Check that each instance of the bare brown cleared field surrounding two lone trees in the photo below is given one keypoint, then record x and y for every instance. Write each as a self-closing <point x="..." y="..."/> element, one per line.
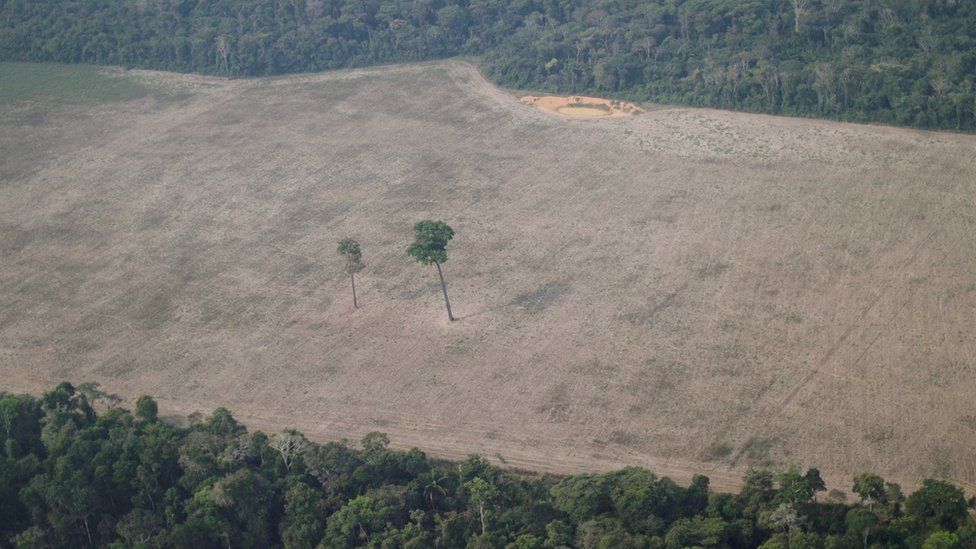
<point x="689" y="290"/>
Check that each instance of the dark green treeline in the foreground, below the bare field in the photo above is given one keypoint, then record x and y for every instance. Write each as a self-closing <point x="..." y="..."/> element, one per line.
<point x="72" y="478"/>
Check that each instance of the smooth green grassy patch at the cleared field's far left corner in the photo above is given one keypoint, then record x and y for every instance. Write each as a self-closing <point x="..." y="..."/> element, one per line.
<point x="71" y="84"/>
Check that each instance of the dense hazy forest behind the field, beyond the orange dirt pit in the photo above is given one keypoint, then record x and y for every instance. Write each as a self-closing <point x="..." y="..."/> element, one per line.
<point x="907" y="62"/>
